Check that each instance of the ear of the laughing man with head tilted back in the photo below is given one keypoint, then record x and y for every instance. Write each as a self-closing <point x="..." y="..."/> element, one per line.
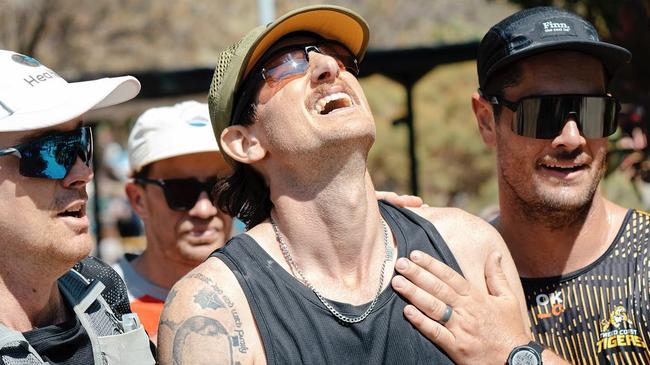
<point x="241" y="144"/>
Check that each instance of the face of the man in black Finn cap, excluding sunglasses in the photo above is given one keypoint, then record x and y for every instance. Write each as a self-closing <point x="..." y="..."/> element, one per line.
<point x="526" y="164"/>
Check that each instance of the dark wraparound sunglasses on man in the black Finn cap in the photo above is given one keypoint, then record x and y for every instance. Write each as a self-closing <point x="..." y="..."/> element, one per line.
<point x="544" y="116"/>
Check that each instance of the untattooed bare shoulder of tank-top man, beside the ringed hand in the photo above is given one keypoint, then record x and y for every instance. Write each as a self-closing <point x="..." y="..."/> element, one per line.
<point x="470" y="238"/>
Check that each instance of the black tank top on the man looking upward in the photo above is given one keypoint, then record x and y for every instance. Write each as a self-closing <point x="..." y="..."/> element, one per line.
<point x="296" y="328"/>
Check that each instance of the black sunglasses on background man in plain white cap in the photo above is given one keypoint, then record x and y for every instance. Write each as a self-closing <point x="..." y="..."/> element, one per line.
<point x="181" y="194"/>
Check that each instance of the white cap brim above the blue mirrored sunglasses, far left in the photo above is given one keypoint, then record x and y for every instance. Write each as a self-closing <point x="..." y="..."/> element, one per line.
<point x="57" y="106"/>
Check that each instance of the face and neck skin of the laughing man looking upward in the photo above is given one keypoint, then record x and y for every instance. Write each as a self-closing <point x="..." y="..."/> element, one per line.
<point x="312" y="182"/>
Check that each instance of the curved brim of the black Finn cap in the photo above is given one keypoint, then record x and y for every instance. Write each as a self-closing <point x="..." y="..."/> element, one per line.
<point x="612" y="56"/>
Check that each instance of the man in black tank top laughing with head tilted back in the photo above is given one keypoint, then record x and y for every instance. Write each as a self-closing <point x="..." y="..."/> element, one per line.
<point x="308" y="283"/>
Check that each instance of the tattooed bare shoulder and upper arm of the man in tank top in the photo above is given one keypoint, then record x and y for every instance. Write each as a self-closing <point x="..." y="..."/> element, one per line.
<point x="206" y="319"/>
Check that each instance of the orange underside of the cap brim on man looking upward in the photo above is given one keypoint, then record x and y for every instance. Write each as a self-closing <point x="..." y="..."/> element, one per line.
<point x="331" y="22"/>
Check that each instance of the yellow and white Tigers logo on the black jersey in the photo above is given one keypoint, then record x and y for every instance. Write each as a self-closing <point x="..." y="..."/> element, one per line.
<point x="619" y="331"/>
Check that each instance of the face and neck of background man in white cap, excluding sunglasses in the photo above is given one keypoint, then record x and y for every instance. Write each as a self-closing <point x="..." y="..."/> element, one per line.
<point x="180" y="239"/>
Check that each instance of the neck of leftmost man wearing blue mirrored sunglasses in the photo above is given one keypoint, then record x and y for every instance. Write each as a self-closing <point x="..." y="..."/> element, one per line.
<point x="30" y="302"/>
